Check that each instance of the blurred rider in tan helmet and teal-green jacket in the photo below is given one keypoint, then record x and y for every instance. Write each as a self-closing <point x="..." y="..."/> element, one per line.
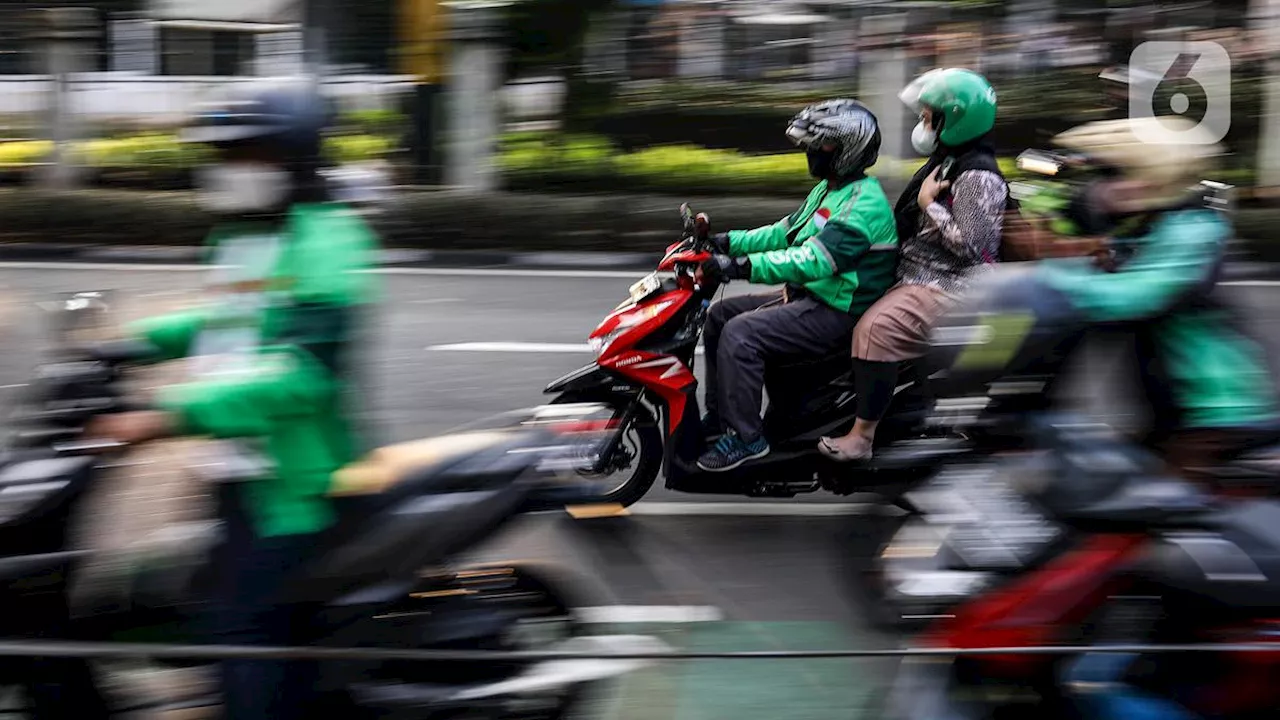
<point x="1219" y="398"/>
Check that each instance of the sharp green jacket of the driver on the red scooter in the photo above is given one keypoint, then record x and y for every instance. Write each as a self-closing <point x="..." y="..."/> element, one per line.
<point x="842" y="245"/>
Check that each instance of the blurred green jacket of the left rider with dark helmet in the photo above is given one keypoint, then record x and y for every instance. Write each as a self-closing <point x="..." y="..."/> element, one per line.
<point x="282" y="344"/>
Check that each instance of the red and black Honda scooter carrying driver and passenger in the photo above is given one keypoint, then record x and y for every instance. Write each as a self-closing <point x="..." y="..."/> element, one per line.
<point x="646" y="352"/>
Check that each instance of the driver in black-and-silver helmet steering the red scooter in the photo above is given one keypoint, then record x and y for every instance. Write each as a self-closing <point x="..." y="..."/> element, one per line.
<point x="835" y="256"/>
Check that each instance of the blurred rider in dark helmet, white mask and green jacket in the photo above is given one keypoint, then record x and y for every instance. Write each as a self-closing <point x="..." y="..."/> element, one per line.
<point x="275" y="368"/>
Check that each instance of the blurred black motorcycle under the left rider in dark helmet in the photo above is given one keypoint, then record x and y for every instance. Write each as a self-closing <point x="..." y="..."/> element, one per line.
<point x="383" y="577"/>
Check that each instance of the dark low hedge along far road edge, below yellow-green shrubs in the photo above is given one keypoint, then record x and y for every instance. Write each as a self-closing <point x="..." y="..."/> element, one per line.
<point x="616" y="222"/>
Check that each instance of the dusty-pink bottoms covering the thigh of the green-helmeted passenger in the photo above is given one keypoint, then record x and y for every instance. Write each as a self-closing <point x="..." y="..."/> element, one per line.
<point x="898" y="326"/>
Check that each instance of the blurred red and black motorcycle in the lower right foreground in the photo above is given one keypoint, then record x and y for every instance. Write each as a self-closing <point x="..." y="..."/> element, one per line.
<point x="1086" y="544"/>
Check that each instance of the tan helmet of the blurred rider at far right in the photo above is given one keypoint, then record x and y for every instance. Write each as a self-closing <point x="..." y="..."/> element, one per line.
<point x="1172" y="167"/>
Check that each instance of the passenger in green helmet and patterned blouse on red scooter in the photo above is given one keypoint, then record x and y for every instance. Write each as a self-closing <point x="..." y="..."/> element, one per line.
<point x="949" y="222"/>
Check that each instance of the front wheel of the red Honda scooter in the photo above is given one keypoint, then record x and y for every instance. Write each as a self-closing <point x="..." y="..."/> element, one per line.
<point x="637" y="459"/>
